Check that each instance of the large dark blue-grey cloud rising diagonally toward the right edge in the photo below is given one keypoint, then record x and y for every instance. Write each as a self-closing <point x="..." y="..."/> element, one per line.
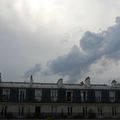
<point x="93" y="47"/>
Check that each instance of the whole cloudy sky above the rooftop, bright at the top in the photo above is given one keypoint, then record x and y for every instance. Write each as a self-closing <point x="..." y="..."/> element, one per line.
<point x="52" y="39"/>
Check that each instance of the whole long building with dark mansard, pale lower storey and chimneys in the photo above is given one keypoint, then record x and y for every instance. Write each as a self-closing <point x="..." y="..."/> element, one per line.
<point x="58" y="100"/>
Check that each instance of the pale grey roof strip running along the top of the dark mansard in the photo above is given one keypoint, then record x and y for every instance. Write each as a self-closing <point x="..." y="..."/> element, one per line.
<point x="55" y="85"/>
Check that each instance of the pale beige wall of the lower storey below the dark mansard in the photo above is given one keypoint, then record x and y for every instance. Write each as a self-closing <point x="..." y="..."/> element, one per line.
<point x="62" y="108"/>
